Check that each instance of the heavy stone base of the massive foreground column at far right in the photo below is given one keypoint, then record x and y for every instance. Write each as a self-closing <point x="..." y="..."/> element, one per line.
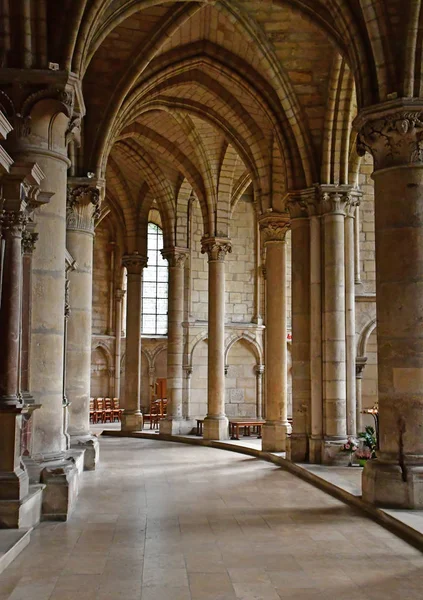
<point x="387" y="485"/>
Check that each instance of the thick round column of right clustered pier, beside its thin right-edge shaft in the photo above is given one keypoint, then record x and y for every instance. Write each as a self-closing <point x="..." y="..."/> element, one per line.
<point x="333" y="204"/>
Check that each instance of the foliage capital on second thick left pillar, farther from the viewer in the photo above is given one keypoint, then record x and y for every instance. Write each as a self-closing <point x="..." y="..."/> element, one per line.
<point x="82" y="208"/>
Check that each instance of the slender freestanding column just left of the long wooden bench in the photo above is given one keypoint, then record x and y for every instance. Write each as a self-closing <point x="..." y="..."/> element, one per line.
<point x="216" y="425"/>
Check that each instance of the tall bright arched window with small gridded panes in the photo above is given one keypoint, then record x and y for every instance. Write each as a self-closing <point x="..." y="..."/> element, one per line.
<point x="154" y="288"/>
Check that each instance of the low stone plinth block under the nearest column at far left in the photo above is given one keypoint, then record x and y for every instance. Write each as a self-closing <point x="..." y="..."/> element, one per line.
<point x="24" y="513"/>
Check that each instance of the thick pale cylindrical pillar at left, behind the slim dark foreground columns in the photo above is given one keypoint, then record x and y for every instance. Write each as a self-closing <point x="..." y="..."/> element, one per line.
<point x="45" y="144"/>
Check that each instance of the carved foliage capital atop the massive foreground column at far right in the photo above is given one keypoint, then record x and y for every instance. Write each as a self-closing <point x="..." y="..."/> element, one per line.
<point x="392" y="132"/>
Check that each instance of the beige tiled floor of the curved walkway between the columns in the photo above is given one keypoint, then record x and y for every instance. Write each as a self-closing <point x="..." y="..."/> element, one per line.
<point x="163" y="521"/>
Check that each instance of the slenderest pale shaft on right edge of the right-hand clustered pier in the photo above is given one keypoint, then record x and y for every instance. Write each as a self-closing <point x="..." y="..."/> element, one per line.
<point x="351" y="207"/>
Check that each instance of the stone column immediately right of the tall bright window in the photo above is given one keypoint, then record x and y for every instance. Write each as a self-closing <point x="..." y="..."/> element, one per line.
<point x="174" y="423"/>
